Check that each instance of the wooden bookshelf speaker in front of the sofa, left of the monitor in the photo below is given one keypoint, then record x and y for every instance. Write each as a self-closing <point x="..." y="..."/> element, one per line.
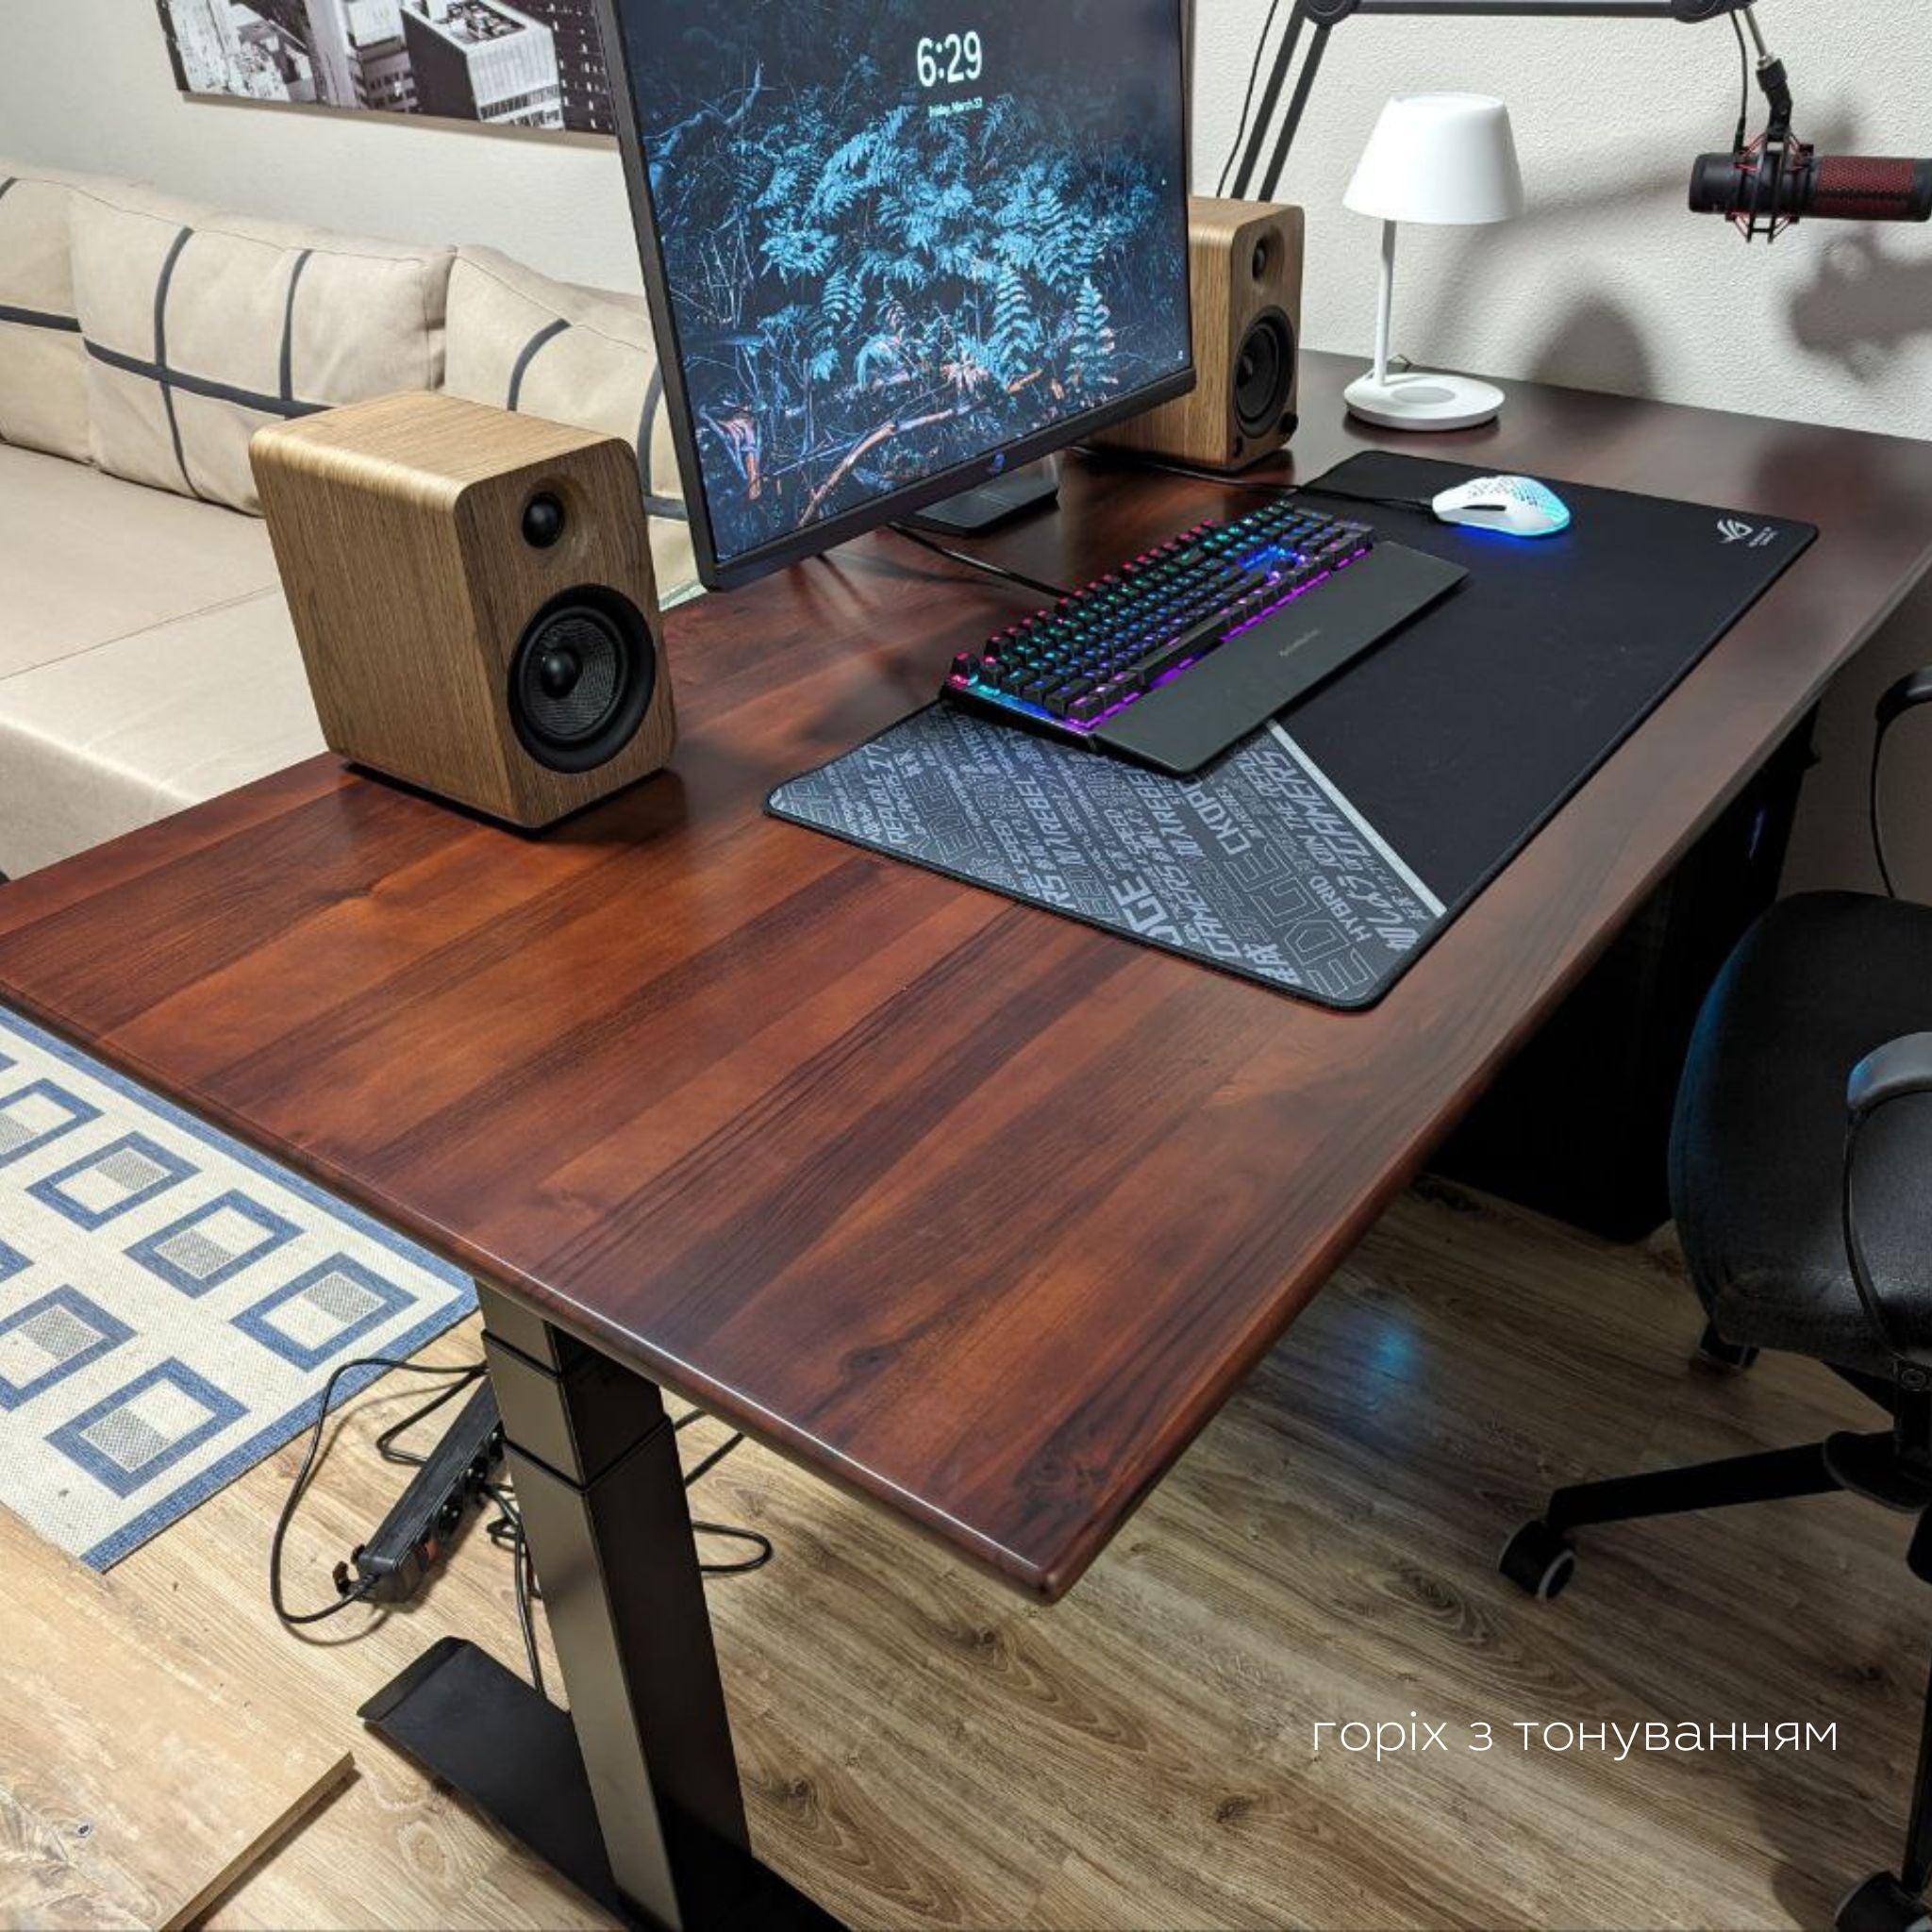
<point x="474" y="600"/>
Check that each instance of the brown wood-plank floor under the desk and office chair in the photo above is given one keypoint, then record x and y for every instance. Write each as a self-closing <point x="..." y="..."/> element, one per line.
<point x="923" y="1749"/>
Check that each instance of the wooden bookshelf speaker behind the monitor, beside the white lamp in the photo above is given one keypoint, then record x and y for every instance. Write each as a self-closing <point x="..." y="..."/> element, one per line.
<point x="1247" y="271"/>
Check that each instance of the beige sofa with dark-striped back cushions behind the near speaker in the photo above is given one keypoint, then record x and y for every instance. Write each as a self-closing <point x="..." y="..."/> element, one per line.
<point x="146" y="654"/>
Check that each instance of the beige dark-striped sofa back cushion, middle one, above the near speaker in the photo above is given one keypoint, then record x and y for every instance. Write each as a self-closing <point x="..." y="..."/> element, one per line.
<point x="202" y="327"/>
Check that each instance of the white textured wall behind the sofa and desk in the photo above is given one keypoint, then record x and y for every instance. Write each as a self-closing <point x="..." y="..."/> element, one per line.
<point x="1608" y="283"/>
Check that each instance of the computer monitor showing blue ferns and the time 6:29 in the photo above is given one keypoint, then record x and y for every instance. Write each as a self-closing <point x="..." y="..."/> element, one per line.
<point x="899" y="246"/>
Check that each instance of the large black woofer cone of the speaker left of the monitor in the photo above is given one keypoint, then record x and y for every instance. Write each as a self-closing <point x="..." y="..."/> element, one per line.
<point x="582" y="679"/>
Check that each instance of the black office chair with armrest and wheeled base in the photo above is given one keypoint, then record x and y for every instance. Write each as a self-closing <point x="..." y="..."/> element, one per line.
<point x="1802" y="1179"/>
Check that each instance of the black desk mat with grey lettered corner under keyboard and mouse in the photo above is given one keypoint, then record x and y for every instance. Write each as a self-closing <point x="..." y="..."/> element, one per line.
<point x="1328" y="851"/>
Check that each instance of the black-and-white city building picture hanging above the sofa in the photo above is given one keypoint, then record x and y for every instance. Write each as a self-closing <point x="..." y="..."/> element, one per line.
<point x="532" y="65"/>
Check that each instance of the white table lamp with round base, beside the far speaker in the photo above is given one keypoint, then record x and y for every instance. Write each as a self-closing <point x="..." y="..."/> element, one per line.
<point x="1450" y="161"/>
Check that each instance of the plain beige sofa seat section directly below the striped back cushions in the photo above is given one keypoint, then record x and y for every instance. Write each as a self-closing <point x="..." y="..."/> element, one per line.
<point x="86" y="559"/>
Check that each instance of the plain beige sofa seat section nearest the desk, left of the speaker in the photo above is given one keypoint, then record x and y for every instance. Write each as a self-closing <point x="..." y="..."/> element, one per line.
<point x="140" y="727"/>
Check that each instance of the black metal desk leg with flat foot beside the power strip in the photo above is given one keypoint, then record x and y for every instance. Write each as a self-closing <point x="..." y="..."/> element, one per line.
<point x="635" y="1796"/>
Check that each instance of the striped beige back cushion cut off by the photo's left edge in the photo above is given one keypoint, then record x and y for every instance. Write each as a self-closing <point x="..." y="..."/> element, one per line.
<point x="43" y="370"/>
